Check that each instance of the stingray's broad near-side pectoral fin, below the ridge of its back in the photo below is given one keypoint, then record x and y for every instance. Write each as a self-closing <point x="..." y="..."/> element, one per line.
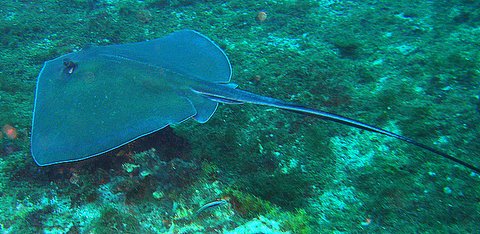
<point x="103" y="104"/>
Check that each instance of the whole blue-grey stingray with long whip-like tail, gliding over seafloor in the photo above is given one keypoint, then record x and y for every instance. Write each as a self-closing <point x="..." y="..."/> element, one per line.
<point x="100" y="98"/>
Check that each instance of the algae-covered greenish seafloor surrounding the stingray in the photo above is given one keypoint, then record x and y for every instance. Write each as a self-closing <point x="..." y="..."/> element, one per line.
<point x="411" y="67"/>
